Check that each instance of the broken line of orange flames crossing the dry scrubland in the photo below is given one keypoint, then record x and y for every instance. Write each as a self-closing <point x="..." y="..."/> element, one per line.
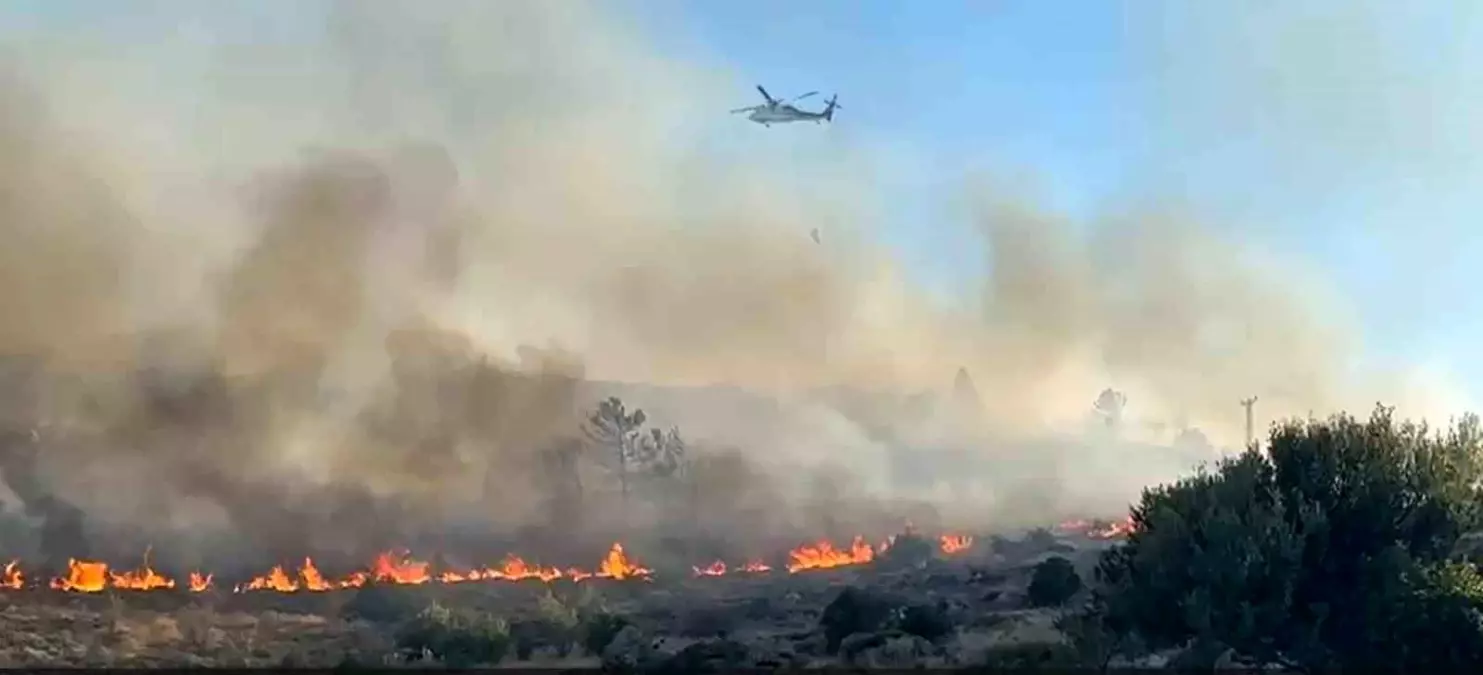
<point x="400" y="569"/>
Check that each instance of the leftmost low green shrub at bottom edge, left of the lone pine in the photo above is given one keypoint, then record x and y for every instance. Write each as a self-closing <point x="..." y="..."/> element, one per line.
<point x="458" y="639"/>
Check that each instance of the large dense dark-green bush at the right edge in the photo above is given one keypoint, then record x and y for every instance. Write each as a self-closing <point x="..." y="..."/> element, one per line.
<point x="1330" y="551"/>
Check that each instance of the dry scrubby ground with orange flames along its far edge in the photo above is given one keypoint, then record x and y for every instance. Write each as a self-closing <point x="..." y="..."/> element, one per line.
<point x="400" y="609"/>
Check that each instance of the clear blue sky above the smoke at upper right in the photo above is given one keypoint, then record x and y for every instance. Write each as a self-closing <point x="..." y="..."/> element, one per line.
<point x="1335" y="133"/>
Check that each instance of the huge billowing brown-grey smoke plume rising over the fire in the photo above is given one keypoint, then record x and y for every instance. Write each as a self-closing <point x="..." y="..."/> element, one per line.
<point x="369" y="271"/>
